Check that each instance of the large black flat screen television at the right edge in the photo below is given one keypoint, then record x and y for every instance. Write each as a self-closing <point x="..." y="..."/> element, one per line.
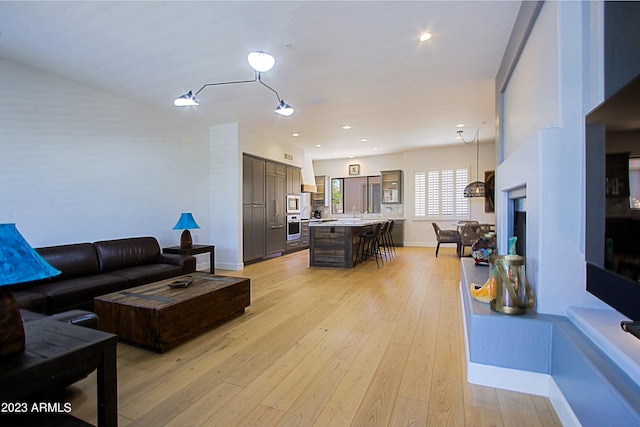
<point x="612" y="238"/>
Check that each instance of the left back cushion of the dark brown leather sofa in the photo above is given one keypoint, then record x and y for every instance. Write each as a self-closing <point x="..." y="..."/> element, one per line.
<point x="74" y="260"/>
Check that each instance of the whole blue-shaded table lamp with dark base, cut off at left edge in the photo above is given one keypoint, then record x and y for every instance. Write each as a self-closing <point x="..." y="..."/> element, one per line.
<point x="19" y="263"/>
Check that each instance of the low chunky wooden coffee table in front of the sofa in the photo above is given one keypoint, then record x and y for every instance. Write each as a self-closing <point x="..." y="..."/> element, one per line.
<point x="158" y="317"/>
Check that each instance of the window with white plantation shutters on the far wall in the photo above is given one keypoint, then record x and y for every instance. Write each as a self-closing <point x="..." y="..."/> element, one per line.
<point x="440" y="194"/>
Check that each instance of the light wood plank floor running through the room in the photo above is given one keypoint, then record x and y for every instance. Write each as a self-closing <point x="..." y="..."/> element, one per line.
<point x="323" y="347"/>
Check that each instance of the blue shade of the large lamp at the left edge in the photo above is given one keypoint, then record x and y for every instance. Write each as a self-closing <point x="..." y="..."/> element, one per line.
<point x="19" y="262"/>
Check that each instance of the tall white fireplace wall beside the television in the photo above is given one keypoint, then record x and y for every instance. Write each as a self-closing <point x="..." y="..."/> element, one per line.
<point x="548" y="88"/>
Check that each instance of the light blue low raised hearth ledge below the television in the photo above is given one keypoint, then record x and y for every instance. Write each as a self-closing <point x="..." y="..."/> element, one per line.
<point x="598" y="392"/>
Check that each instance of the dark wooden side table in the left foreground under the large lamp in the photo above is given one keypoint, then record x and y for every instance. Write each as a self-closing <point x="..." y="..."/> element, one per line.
<point x="54" y="351"/>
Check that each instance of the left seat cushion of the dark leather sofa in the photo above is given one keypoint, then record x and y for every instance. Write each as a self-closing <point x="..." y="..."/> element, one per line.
<point x="76" y="292"/>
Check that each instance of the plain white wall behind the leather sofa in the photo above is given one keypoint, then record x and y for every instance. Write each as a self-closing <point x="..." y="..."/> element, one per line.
<point x="79" y="165"/>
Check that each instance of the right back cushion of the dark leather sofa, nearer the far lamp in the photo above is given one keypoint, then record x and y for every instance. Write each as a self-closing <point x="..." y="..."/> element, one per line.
<point x="124" y="253"/>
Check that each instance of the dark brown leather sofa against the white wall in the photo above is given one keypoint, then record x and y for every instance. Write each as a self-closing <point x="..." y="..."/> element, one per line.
<point x="89" y="270"/>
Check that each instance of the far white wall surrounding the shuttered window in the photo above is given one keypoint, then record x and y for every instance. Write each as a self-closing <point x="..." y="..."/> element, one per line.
<point x="420" y="232"/>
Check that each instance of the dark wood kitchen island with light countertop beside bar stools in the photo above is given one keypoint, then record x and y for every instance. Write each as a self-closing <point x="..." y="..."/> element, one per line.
<point x="334" y="243"/>
